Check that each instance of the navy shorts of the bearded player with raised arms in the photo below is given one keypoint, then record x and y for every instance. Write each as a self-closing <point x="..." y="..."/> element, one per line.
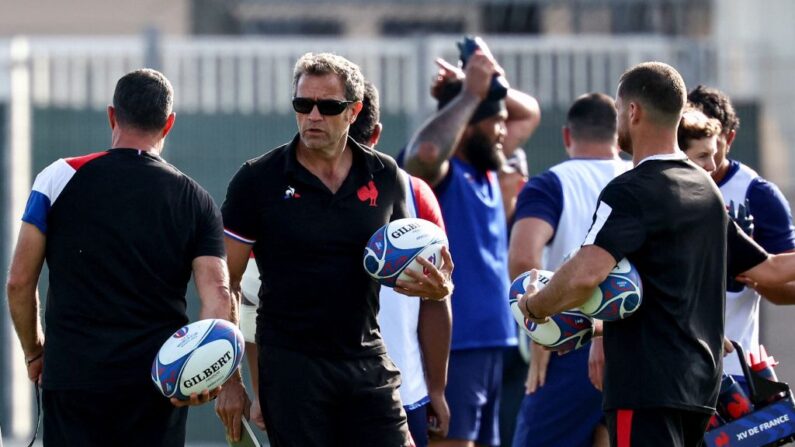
<point x="474" y="384"/>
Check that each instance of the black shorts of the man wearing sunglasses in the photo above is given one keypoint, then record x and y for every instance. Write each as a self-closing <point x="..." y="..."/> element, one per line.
<point x="313" y="400"/>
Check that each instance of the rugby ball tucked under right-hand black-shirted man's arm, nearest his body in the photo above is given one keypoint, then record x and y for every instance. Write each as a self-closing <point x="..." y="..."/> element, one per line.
<point x="618" y="296"/>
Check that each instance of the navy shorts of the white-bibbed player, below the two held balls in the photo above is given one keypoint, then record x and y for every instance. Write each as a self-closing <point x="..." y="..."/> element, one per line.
<point x="566" y="410"/>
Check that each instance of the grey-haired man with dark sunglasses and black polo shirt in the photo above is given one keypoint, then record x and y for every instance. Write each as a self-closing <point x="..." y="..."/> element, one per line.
<point x="307" y="209"/>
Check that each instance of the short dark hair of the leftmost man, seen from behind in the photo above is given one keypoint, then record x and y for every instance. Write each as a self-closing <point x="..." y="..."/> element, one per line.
<point x="143" y="99"/>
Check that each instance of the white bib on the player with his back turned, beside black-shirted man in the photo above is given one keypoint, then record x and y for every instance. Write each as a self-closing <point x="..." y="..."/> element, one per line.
<point x="581" y="180"/>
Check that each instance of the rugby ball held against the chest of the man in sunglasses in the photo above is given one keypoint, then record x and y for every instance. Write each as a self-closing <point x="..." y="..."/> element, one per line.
<point x="395" y="247"/>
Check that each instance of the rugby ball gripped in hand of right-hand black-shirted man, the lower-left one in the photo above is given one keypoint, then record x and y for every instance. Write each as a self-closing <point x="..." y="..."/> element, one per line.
<point x="565" y="331"/>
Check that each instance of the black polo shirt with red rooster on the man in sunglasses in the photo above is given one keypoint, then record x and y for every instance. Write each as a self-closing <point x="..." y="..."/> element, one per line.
<point x="308" y="243"/>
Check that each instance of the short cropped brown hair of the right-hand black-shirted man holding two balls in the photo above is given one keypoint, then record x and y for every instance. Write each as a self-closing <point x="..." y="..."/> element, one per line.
<point x="658" y="87"/>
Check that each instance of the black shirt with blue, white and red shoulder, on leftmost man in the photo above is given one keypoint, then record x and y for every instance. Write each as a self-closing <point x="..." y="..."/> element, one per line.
<point x="123" y="228"/>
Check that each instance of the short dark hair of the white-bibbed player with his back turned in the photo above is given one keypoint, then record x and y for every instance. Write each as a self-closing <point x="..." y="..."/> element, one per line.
<point x="592" y="117"/>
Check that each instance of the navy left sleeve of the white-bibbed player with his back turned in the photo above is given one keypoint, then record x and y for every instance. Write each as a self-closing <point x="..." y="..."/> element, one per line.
<point x="541" y="197"/>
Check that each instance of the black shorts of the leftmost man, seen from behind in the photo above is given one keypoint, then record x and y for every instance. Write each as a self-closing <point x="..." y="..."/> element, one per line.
<point x="124" y="416"/>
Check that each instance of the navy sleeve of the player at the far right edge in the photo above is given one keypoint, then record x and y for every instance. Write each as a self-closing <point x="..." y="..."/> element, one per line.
<point x="773" y="228"/>
